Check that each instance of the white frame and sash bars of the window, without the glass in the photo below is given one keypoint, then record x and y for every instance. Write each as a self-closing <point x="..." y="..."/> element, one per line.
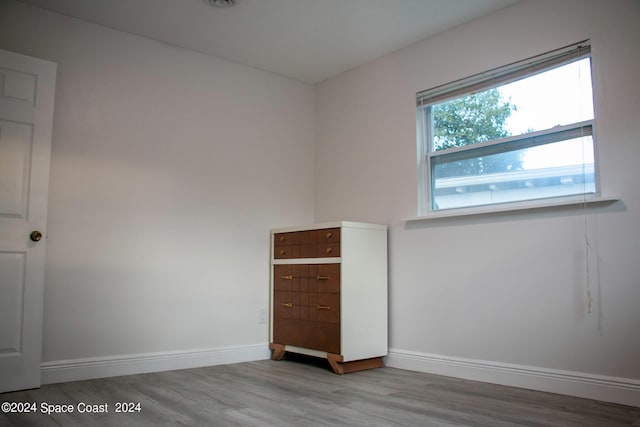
<point x="483" y="81"/>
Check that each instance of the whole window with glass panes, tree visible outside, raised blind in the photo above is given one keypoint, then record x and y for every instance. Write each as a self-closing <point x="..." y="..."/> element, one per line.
<point x="517" y="133"/>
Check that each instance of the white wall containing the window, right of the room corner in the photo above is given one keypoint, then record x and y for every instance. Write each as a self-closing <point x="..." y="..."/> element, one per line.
<point x="505" y="290"/>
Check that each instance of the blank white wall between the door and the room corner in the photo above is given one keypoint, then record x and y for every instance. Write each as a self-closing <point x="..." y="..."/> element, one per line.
<point x="168" y="169"/>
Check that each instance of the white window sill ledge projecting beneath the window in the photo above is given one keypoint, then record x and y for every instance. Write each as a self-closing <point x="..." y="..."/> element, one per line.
<point x="517" y="206"/>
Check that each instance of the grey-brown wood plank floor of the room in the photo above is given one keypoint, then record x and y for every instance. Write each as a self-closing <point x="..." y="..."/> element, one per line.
<point x="306" y="393"/>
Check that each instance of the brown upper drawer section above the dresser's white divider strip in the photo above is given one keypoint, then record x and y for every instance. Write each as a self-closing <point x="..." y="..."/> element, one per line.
<point x="320" y="243"/>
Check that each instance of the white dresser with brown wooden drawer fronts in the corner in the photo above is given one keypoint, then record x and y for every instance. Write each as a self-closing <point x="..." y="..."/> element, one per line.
<point x="329" y="293"/>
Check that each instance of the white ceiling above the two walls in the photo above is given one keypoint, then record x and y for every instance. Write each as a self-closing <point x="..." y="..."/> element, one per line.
<point x="308" y="40"/>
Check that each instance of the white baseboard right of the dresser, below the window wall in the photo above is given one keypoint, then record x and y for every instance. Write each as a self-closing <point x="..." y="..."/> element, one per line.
<point x="599" y="387"/>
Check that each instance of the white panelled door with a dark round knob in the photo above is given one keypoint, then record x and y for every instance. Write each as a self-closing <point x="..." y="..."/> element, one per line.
<point x="26" y="117"/>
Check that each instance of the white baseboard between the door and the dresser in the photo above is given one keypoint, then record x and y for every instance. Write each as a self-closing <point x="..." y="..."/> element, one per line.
<point x="58" y="371"/>
